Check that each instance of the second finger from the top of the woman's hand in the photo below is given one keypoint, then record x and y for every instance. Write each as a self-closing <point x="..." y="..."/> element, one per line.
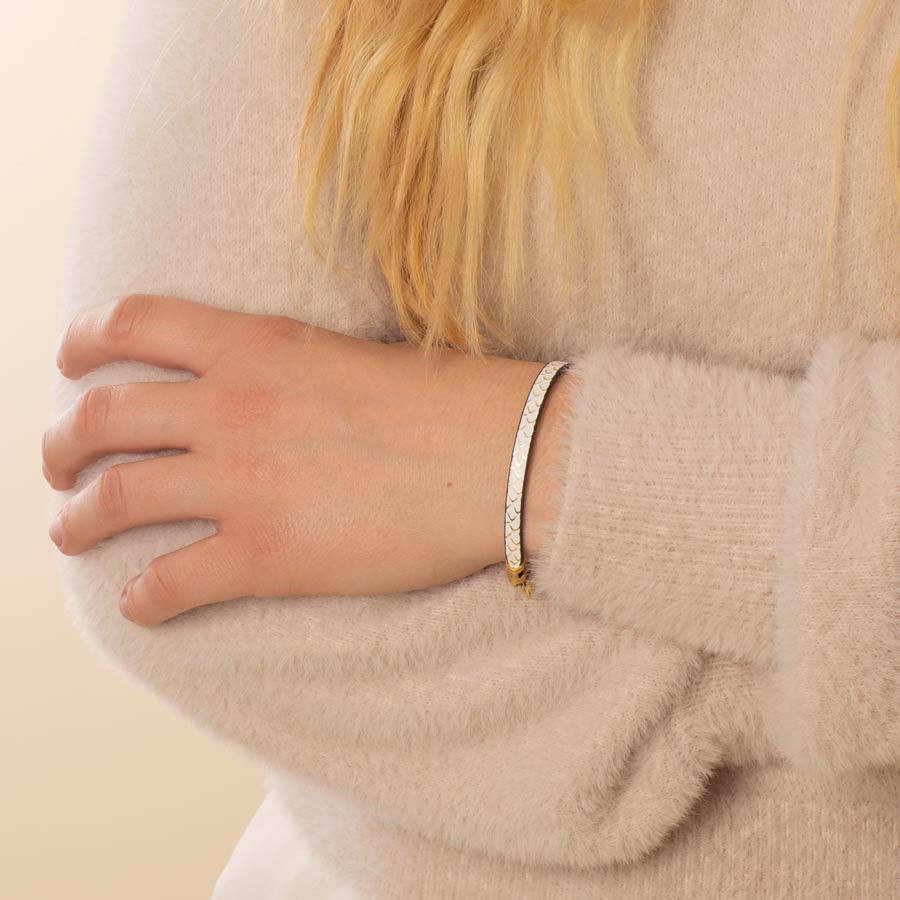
<point x="137" y="417"/>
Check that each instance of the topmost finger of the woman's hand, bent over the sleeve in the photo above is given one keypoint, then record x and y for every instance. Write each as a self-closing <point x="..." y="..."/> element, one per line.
<point x="164" y="331"/>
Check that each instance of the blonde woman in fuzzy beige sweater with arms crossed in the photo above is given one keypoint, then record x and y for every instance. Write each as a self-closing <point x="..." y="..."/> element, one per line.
<point x="701" y="698"/>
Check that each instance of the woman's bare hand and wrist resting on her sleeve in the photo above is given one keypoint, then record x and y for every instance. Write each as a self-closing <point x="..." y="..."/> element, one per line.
<point x="330" y="464"/>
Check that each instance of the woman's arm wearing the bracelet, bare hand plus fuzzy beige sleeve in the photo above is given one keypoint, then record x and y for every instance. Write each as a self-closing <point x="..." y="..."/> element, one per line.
<point x="732" y="511"/>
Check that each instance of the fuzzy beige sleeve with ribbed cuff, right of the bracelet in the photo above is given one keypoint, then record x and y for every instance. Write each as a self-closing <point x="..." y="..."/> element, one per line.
<point x="746" y="513"/>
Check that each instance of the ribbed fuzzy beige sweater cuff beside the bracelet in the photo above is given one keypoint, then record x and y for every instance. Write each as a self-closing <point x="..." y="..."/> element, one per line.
<point x="670" y="486"/>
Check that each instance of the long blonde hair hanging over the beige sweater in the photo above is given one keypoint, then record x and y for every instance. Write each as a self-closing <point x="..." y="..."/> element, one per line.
<point x="434" y="111"/>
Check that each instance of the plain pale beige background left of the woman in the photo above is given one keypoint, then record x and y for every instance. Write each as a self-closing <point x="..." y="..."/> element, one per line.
<point x="105" y="794"/>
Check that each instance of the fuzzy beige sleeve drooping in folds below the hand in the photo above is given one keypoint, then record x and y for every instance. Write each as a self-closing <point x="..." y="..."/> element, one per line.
<point x="525" y="732"/>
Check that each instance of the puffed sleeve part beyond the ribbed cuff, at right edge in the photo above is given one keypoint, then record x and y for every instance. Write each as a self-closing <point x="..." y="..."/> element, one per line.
<point x="836" y="687"/>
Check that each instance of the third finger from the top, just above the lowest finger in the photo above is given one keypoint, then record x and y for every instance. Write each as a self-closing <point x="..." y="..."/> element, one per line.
<point x="150" y="491"/>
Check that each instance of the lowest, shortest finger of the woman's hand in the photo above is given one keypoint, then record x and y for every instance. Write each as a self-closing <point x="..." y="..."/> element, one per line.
<point x="202" y="573"/>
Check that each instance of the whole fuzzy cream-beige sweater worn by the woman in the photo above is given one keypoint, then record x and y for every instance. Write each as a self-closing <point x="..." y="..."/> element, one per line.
<point x="702" y="699"/>
